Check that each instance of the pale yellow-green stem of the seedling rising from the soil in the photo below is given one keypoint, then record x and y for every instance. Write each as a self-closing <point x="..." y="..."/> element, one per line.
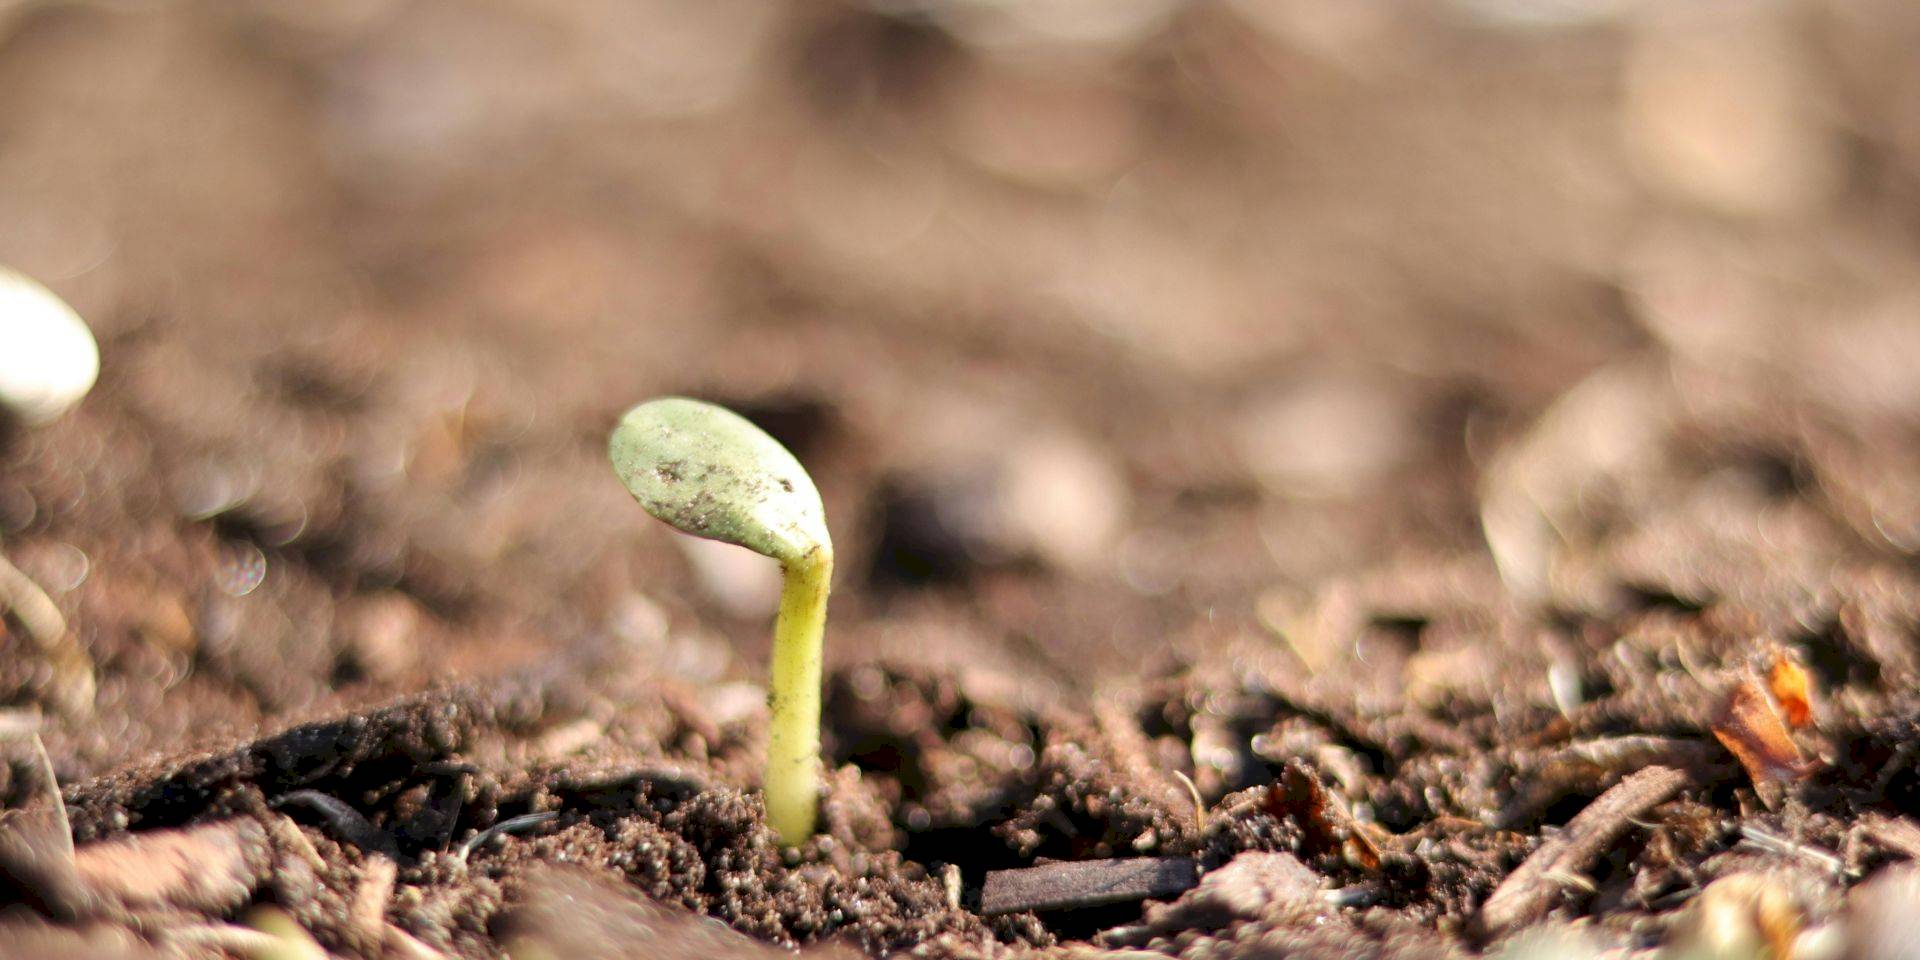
<point x="794" y="744"/>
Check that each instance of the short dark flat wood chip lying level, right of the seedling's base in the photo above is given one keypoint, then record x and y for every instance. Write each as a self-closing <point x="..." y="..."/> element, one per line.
<point x="1086" y="884"/>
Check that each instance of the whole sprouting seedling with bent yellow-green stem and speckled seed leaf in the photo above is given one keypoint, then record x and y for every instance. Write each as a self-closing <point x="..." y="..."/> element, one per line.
<point x="711" y="473"/>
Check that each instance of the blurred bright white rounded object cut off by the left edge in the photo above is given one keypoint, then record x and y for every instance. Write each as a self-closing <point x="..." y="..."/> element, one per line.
<point x="47" y="354"/>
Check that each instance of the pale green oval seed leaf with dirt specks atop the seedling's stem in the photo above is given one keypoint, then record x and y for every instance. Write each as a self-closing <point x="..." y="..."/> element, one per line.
<point x="711" y="473"/>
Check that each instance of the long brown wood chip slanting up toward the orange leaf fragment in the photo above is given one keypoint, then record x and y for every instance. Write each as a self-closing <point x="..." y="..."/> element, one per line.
<point x="1537" y="884"/>
